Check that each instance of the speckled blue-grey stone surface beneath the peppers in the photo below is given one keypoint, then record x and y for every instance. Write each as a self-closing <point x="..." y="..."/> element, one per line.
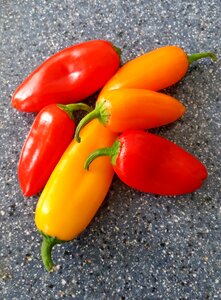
<point x="139" y="246"/>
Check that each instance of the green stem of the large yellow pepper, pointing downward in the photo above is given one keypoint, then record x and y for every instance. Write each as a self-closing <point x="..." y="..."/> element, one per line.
<point x="46" y="249"/>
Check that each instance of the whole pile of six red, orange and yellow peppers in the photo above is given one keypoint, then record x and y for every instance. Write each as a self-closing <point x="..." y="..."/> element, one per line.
<point x="73" y="166"/>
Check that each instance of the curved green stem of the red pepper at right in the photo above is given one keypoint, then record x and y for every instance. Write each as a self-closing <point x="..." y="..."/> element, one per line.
<point x="112" y="151"/>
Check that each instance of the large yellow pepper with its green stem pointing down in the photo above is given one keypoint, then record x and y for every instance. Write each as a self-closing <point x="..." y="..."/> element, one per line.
<point x="72" y="195"/>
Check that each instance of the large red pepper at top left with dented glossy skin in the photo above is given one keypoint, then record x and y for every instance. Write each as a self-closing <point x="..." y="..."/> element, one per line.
<point x="68" y="76"/>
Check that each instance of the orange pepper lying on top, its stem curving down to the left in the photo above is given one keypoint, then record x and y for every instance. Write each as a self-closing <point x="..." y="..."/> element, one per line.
<point x="124" y="109"/>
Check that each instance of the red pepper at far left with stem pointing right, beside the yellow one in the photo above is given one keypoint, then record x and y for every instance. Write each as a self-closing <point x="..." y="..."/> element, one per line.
<point x="50" y="134"/>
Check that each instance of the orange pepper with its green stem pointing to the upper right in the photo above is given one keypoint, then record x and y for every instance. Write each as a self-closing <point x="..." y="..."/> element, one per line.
<point x="154" y="70"/>
